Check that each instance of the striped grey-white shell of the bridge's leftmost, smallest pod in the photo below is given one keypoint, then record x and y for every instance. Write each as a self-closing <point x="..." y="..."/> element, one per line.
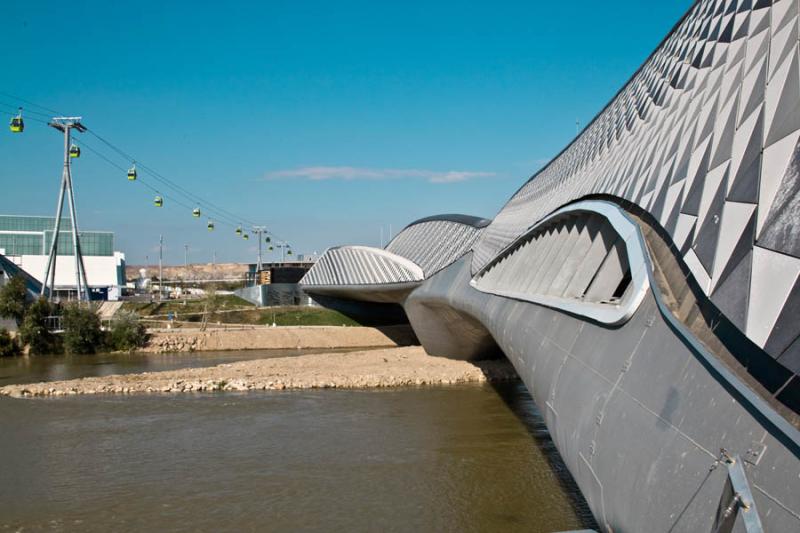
<point x="360" y="265"/>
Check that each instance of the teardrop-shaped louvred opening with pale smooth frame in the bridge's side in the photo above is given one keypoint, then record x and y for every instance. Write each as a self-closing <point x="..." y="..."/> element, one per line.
<point x="586" y="259"/>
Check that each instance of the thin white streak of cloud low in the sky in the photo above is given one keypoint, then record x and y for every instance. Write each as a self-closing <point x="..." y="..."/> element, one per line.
<point x="346" y="173"/>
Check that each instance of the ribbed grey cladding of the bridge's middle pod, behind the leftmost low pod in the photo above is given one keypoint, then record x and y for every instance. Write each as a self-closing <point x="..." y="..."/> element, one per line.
<point x="434" y="244"/>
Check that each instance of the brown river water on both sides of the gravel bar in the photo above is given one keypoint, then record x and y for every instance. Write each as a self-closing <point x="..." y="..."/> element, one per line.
<point x="457" y="458"/>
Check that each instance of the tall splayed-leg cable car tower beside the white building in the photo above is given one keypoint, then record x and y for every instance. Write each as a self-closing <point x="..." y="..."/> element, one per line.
<point x="66" y="125"/>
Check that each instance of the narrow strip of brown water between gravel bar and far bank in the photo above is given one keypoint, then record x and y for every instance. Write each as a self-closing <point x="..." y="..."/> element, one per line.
<point x="56" y="368"/>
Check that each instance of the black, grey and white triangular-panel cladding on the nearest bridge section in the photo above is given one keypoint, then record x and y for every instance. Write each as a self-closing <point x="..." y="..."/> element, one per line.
<point x="704" y="137"/>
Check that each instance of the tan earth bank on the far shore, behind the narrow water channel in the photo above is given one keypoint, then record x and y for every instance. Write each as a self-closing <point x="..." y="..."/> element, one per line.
<point x="280" y="338"/>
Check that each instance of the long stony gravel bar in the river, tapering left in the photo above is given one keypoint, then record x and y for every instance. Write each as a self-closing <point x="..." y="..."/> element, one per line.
<point x="391" y="367"/>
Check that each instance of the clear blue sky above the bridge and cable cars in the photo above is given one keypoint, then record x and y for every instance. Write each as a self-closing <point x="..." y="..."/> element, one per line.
<point x="324" y="121"/>
